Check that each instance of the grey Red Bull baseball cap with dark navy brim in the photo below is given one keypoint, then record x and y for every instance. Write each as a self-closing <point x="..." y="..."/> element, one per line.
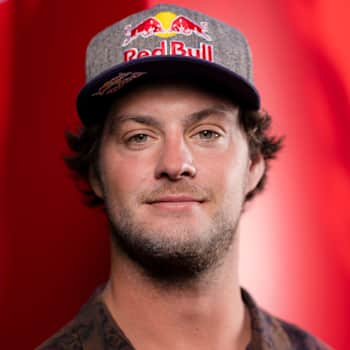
<point x="165" y="41"/>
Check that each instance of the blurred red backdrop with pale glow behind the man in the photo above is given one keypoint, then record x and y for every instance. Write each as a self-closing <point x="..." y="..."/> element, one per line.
<point x="295" y="245"/>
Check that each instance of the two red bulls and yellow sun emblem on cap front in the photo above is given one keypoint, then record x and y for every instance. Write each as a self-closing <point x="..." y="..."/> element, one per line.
<point x="166" y="24"/>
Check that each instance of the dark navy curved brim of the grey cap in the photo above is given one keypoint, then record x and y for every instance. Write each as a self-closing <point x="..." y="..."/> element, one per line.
<point x="92" y="106"/>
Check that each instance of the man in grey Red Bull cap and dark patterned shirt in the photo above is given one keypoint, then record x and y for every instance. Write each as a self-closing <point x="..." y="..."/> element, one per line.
<point x="173" y="145"/>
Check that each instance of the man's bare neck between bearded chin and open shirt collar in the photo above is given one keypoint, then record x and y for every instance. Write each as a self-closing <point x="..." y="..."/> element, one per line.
<point x="207" y="314"/>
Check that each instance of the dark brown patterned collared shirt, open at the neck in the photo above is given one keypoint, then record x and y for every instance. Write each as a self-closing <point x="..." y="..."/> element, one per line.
<point x="95" y="329"/>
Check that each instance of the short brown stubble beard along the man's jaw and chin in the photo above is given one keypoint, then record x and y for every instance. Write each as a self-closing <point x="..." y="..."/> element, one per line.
<point x="171" y="260"/>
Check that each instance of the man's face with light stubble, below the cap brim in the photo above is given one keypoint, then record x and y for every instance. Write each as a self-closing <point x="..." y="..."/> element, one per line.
<point x="174" y="170"/>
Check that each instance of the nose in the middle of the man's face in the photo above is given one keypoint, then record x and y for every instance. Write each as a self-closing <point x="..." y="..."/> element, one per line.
<point x="175" y="161"/>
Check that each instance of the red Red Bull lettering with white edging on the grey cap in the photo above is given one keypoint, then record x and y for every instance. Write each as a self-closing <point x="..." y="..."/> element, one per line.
<point x="174" y="47"/>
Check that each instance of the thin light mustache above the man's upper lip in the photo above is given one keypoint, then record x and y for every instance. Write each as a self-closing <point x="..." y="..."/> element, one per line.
<point x="182" y="188"/>
